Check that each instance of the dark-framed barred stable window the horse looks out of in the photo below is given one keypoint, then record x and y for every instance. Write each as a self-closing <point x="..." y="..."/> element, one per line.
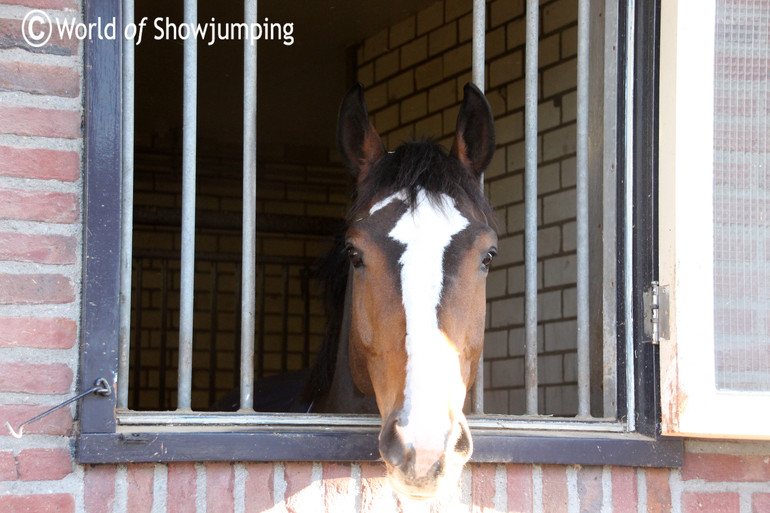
<point x="205" y="300"/>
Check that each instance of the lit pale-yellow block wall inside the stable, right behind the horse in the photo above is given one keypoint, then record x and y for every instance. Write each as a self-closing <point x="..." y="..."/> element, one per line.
<point x="415" y="72"/>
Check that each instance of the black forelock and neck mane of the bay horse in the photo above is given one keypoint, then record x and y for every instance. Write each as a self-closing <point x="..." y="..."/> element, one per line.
<point x="413" y="166"/>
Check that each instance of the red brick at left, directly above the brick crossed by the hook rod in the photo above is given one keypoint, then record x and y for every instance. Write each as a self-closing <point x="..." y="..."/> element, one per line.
<point x="35" y="378"/>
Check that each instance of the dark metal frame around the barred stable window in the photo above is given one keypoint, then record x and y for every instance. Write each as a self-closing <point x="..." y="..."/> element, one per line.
<point x="100" y="442"/>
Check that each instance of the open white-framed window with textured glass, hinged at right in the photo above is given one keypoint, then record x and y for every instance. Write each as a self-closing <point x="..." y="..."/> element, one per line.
<point x="715" y="362"/>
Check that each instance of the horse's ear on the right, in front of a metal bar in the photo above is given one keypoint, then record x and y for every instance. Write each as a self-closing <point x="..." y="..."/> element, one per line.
<point x="474" y="142"/>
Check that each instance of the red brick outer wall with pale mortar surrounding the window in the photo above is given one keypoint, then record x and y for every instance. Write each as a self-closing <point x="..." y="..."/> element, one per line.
<point x="40" y="254"/>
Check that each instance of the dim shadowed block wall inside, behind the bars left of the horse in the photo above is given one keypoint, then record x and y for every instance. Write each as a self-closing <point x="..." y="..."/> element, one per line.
<point x="308" y="184"/>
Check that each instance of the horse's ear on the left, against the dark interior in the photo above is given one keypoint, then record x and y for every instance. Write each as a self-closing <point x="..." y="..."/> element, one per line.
<point x="358" y="141"/>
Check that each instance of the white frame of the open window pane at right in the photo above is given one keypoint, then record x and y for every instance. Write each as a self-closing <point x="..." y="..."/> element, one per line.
<point x="692" y="404"/>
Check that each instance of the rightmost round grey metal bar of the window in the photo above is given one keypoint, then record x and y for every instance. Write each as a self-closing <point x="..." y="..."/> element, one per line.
<point x="583" y="312"/>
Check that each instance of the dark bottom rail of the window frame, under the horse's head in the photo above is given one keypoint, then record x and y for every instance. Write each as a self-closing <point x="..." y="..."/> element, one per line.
<point x="342" y="444"/>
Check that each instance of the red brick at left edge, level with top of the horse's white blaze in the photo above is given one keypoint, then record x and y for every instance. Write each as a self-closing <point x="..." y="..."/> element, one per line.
<point x="50" y="207"/>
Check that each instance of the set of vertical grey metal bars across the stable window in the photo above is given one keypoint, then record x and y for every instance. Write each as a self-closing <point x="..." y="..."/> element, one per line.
<point x="585" y="283"/>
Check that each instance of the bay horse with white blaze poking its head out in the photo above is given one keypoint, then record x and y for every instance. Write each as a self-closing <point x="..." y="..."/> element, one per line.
<point x="407" y="290"/>
